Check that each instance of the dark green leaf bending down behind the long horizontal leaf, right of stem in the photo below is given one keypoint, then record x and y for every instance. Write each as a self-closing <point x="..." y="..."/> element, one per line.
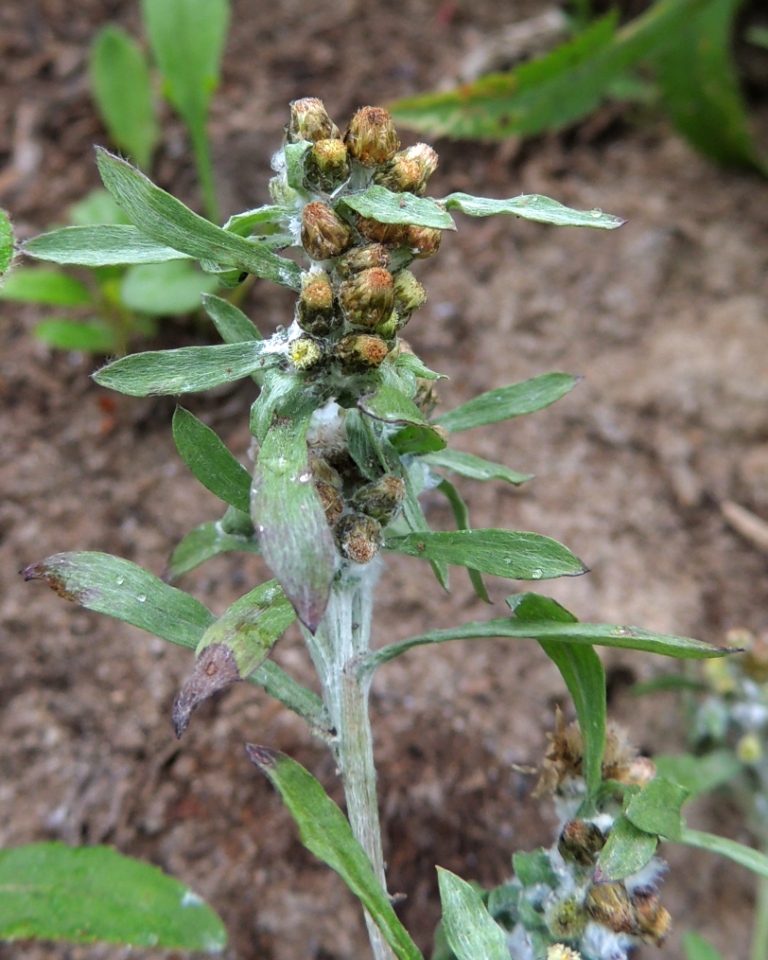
<point x="583" y="673"/>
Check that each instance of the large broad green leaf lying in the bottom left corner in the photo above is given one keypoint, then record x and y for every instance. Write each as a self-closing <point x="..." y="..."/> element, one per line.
<point x="86" y="894"/>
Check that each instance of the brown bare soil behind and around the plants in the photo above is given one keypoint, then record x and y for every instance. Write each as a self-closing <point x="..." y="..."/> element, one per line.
<point x="667" y="319"/>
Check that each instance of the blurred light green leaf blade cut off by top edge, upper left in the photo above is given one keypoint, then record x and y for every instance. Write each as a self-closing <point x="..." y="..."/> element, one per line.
<point x="187" y="39"/>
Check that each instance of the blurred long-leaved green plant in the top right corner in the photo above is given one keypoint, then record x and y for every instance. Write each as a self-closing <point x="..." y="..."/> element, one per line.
<point x="677" y="56"/>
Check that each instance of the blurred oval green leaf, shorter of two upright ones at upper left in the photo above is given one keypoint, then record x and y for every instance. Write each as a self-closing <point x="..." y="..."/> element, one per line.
<point x="122" y="90"/>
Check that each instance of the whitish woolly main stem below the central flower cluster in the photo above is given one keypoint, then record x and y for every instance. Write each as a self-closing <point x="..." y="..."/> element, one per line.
<point x="341" y="639"/>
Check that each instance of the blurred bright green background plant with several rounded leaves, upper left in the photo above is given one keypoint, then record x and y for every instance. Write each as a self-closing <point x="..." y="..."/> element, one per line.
<point x="104" y="308"/>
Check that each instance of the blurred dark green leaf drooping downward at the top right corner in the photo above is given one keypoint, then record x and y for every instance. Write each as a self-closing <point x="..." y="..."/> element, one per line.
<point x="700" y="88"/>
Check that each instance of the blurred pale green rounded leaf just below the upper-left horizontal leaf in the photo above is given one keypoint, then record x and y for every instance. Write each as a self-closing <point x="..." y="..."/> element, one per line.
<point x="165" y="289"/>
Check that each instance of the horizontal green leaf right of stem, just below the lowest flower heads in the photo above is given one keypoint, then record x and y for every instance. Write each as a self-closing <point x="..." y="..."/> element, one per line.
<point x="502" y="553"/>
